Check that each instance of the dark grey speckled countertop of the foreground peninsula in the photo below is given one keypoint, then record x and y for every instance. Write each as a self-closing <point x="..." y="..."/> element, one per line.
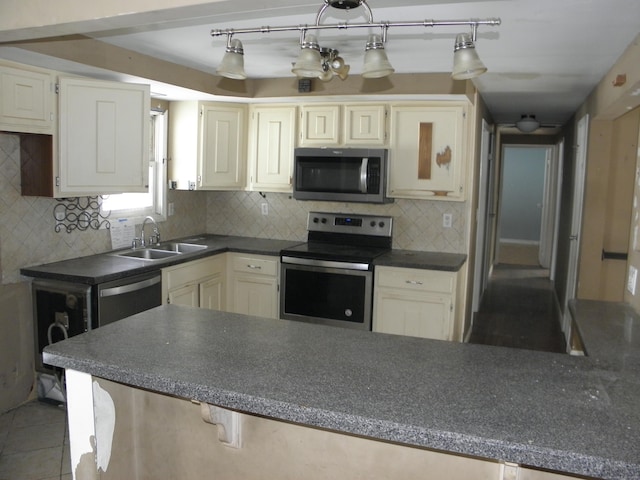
<point x="552" y="411"/>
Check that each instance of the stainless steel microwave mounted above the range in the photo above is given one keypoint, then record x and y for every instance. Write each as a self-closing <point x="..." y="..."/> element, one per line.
<point x="340" y="174"/>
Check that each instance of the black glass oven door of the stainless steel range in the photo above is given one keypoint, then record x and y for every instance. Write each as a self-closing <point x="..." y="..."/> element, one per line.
<point x="326" y="295"/>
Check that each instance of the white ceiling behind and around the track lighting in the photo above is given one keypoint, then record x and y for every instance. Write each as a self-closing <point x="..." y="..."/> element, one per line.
<point x="544" y="59"/>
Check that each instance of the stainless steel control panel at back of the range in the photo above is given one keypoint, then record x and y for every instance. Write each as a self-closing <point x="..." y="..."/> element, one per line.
<point x="376" y="225"/>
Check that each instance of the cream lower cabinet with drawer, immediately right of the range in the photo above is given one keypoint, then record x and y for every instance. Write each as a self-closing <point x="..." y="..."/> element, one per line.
<point x="414" y="302"/>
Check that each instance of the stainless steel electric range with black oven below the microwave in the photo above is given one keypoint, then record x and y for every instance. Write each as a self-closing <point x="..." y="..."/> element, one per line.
<point x="329" y="279"/>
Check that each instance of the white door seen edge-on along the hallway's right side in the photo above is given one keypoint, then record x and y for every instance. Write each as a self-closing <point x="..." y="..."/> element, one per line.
<point x="576" y="219"/>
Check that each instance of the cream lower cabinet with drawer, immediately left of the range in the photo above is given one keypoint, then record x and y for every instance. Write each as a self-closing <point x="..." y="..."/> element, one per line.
<point x="253" y="281"/>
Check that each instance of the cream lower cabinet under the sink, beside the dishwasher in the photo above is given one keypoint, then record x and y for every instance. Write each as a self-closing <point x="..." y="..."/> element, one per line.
<point x="200" y="283"/>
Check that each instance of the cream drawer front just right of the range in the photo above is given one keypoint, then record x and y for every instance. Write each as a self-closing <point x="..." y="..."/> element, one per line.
<point x="416" y="279"/>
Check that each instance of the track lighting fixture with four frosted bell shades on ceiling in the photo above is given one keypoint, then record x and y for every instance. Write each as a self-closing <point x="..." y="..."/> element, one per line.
<point x="323" y="63"/>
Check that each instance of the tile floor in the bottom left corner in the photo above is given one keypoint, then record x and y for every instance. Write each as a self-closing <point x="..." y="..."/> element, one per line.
<point x="34" y="443"/>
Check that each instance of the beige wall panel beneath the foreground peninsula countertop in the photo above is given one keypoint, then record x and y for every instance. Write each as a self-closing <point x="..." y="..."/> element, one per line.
<point x="158" y="436"/>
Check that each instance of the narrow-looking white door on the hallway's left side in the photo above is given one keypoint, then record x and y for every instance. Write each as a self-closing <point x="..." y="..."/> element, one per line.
<point x="481" y="273"/>
